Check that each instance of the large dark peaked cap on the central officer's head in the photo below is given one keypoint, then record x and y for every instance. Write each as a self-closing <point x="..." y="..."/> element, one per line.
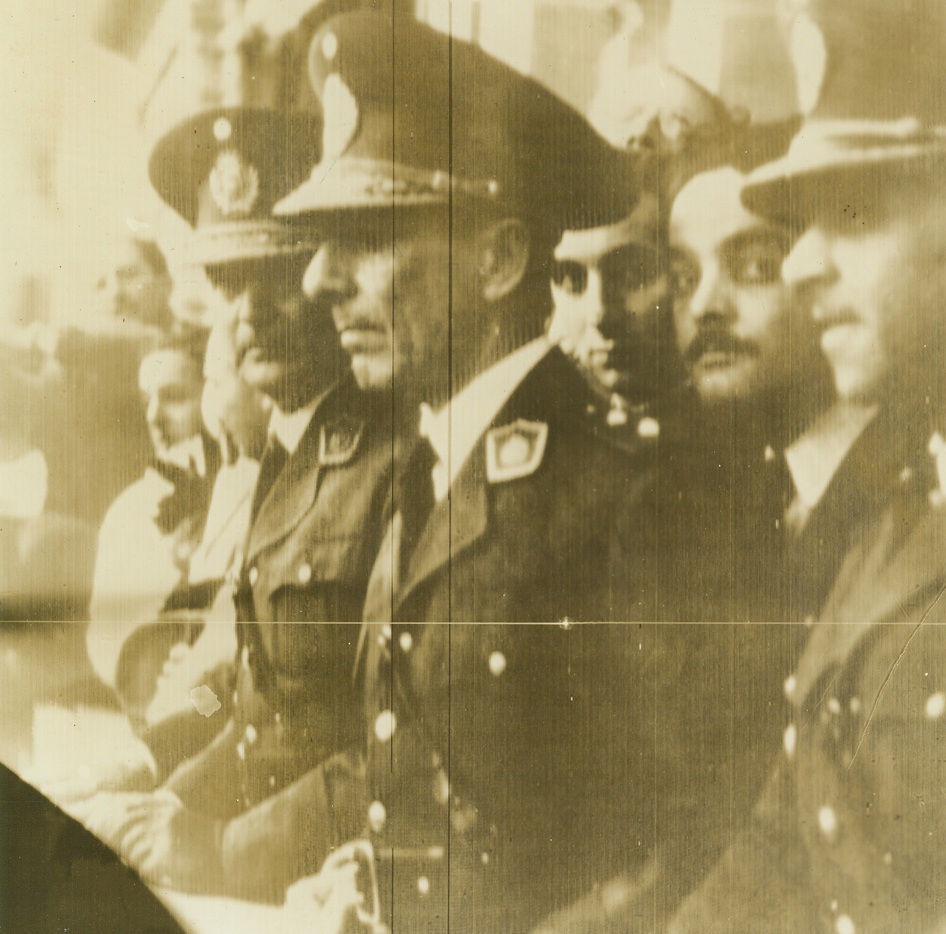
<point x="414" y="116"/>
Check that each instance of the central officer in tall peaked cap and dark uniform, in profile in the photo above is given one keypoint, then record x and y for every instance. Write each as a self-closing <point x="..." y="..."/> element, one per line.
<point x="493" y="751"/>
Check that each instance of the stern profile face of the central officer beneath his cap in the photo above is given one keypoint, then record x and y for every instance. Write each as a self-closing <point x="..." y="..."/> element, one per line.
<point x="388" y="279"/>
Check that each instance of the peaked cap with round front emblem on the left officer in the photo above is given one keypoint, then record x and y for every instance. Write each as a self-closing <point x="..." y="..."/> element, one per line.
<point x="222" y="170"/>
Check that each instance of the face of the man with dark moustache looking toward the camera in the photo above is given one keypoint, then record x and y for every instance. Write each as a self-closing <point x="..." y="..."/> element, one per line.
<point x="734" y="326"/>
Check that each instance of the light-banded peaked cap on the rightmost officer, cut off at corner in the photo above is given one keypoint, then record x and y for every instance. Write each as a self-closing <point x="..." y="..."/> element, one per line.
<point x="870" y="76"/>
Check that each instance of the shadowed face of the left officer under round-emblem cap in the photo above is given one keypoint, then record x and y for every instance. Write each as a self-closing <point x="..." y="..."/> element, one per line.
<point x="281" y="337"/>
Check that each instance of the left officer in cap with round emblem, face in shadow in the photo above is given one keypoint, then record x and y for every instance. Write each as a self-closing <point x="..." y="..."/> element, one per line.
<point x="262" y="804"/>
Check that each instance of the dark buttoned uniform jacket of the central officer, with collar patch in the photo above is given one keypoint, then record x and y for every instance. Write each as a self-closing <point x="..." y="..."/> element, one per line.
<point x="494" y="751"/>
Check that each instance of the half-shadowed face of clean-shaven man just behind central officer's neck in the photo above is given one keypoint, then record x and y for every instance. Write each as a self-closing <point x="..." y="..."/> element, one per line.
<point x="608" y="286"/>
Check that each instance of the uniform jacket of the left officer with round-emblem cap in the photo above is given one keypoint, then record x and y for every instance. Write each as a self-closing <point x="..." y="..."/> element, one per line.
<point x="307" y="560"/>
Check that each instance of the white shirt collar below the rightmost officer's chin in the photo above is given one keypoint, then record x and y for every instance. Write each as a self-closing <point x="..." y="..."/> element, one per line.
<point x="815" y="456"/>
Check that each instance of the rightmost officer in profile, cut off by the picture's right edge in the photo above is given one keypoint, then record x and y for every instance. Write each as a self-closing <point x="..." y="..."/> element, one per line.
<point x="848" y="835"/>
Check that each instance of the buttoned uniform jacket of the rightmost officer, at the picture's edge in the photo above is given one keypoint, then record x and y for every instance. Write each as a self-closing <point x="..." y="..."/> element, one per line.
<point x="849" y="835"/>
